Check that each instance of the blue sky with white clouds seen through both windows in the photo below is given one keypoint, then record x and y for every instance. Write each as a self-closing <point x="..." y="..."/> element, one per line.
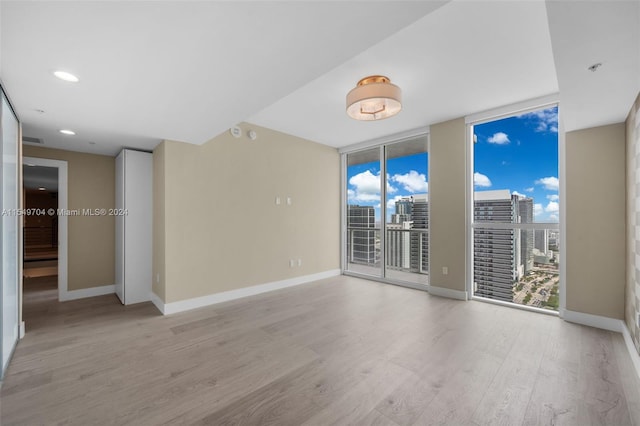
<point x="517" y="153"/>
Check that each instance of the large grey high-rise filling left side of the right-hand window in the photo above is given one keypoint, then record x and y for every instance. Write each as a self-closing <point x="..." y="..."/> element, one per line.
<point x="497" y="252"/>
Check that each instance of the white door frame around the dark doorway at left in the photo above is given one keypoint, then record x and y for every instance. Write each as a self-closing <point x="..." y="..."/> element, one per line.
<point x="62" y="219"/>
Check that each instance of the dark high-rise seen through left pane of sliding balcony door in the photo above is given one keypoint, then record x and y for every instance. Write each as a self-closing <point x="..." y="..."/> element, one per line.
<point x="361" y="234"/>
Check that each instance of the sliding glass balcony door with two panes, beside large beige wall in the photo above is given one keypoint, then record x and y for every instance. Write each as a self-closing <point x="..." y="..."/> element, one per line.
<point x="387" y="190"/>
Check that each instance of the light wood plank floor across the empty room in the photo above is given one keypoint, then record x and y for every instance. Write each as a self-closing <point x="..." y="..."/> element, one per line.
<point x="338" y="351"/>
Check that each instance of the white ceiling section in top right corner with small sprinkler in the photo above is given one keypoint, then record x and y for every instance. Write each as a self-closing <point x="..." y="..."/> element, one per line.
<point x="586" y="33"/>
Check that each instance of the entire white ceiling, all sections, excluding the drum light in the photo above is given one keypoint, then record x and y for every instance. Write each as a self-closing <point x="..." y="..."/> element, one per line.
<point x="187" y="71"/>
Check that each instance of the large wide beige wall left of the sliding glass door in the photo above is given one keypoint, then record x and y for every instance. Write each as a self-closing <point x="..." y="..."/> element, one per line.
<point x="222" y="228"/>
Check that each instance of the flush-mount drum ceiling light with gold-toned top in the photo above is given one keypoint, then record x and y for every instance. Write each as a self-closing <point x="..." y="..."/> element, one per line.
<point x="374" y="98"/>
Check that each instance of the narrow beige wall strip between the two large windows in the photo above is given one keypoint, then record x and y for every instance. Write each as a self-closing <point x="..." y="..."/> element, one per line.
<point x="447" y="201"/>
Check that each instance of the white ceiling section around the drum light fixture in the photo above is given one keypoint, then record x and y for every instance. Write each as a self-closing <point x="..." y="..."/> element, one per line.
<point x="463" y="58"/>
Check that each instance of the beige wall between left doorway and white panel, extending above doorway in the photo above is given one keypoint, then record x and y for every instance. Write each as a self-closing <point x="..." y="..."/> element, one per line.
<point x="91" y="239"/>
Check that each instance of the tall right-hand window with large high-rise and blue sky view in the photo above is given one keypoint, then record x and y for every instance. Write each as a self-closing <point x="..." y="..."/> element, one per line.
<point x="516" y="233"/>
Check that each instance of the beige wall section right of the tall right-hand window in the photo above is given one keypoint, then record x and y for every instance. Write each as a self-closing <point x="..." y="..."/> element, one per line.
<point x="595" y="198"/>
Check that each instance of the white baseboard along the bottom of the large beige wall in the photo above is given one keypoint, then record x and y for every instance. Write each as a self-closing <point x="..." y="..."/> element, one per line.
<point x="212" y="299"/>
